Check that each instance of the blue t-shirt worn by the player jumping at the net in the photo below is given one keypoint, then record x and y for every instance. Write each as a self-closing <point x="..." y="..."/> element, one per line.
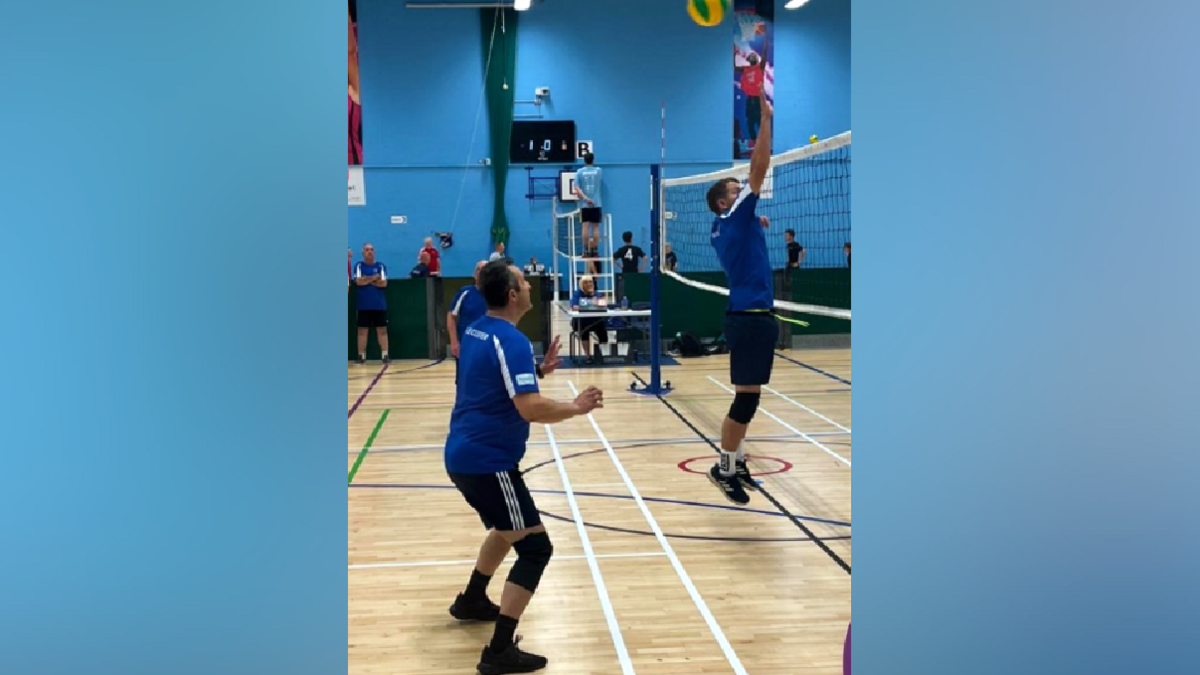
<point x="742" y="248"/>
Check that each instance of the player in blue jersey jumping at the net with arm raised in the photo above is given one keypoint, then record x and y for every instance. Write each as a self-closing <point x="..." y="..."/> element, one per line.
<point x="751" y="327"/>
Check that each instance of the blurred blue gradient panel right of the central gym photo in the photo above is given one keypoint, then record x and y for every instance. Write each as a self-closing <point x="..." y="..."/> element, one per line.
<point x="1027" y="347"/>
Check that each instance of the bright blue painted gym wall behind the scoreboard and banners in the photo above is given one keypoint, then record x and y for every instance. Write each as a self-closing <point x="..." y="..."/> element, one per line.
<point x="610" y="65"/>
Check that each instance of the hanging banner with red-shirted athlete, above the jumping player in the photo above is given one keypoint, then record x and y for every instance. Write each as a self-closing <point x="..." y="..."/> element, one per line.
<point x="754" y="74"/>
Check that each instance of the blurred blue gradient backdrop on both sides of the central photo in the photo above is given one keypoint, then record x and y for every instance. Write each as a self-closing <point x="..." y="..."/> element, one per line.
<point x="173" y="497"/>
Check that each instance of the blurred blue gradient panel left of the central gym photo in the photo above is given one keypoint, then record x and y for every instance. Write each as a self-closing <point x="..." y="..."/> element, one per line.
<point x="175" y="224"/>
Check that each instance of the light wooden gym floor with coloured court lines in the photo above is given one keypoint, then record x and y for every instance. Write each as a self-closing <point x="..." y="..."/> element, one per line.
<point x="674" y="582"/>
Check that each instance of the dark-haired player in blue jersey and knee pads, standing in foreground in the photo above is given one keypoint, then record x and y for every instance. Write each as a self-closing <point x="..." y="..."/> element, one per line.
<point x="497" y="401"/>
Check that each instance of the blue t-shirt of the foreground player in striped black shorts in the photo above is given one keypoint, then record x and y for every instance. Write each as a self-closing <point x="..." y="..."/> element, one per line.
<point x="488" y="434"/>
